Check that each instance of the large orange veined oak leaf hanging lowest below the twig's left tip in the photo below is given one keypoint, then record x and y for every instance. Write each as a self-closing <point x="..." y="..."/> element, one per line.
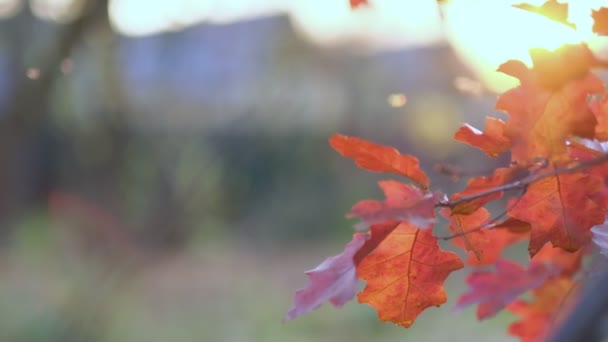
<point x="405" y="274"/>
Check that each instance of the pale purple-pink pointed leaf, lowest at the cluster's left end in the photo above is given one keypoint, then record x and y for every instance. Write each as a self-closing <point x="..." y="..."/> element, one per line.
<point x="334" y="280"/>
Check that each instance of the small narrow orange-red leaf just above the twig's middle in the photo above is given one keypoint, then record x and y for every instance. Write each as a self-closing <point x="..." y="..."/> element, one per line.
<point x="478" y="185"/>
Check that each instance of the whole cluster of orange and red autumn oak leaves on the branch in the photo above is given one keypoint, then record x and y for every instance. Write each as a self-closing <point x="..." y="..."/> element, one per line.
<point x="556" y="195"/>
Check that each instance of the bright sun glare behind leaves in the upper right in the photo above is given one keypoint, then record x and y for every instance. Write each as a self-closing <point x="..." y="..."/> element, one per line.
<point x="488" y="33"/>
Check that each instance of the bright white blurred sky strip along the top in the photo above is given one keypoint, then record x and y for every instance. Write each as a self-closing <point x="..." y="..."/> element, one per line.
<point x="481" y="38"/>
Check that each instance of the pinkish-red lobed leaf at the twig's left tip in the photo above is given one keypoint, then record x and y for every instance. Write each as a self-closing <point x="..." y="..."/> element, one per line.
<point x="403" y="203"/>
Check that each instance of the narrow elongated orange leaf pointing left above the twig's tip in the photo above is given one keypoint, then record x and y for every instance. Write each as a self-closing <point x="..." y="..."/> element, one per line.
<point x="379" y="158"/>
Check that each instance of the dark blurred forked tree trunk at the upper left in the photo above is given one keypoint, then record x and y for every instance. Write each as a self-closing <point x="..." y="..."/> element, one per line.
<point x="26" y="150"/>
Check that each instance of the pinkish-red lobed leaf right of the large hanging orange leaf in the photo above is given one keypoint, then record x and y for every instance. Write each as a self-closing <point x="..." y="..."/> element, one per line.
<point x="493" y="291"/>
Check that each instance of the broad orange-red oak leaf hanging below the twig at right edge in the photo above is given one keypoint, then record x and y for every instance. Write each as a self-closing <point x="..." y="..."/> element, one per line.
<point x="560" y="210"/>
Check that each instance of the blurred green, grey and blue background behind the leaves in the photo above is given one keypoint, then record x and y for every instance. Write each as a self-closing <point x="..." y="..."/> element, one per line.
<point x="165" y="172"/>
